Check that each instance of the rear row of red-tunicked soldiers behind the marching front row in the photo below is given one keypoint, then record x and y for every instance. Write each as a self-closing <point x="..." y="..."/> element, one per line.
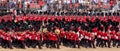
<point x="38" y="22"/>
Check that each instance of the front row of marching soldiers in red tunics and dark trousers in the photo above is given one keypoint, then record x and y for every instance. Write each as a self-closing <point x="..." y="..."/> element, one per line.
<point x="53" y="39"/>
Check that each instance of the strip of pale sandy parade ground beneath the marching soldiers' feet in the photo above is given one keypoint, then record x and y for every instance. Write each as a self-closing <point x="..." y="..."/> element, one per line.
<point x="63" y="49"/>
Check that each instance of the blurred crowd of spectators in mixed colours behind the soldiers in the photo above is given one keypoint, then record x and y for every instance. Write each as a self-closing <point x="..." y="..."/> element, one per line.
<point x="60" y="5"/>
